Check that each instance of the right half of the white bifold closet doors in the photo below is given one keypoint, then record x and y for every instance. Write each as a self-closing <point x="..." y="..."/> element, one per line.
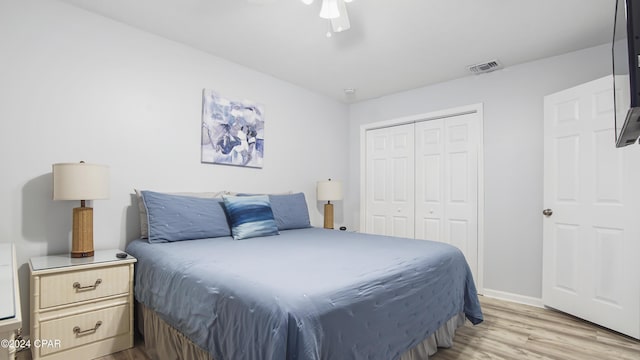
<point x="447" y="183"/>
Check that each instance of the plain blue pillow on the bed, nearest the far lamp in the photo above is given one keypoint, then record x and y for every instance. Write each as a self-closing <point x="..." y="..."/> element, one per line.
<point x="290" y="211"/>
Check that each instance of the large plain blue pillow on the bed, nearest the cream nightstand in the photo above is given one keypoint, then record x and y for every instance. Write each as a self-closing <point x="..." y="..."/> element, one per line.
<point x="175" y="217"/>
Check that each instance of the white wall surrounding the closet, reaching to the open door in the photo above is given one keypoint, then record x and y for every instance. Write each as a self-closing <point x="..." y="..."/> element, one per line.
<point x="513" y="158"/>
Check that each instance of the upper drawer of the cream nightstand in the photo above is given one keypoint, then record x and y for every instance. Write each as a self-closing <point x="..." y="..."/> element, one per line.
<point x="74" y="286"/>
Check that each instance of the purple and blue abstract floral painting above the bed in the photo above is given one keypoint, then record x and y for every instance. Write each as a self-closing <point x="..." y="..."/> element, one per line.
<point x="232" y="131"/>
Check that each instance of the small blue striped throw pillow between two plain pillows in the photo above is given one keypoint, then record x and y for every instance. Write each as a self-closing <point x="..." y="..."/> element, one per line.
<point x="250" y="216"/>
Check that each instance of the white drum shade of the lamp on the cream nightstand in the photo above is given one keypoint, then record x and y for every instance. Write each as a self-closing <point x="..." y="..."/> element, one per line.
<point x="80" y="181"/>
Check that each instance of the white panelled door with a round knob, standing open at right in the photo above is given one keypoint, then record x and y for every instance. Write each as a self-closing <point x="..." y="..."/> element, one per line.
<point x="592" y="194"/>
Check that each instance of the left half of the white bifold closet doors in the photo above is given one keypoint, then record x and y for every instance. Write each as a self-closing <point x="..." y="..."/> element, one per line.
<point x="390" y="176"/>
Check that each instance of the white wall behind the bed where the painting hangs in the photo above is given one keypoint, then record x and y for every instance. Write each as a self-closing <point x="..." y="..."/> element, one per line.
<point x="76" y="86"/>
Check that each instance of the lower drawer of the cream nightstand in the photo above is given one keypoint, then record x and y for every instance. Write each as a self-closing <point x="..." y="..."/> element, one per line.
<point x="92" y="326"/>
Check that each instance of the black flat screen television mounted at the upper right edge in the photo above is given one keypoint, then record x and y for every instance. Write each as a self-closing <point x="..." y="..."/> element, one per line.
<point x="626" y="74"/>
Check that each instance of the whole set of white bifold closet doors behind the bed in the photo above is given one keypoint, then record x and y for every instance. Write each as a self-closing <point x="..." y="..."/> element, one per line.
<point x="422" y="180"/>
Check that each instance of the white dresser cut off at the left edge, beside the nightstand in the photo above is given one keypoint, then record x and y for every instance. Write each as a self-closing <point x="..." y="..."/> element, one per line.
<point x="10" y="317"/>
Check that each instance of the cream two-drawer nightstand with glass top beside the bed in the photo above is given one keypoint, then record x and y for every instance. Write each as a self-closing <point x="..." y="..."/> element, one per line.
<point x="81" y="308"/>
